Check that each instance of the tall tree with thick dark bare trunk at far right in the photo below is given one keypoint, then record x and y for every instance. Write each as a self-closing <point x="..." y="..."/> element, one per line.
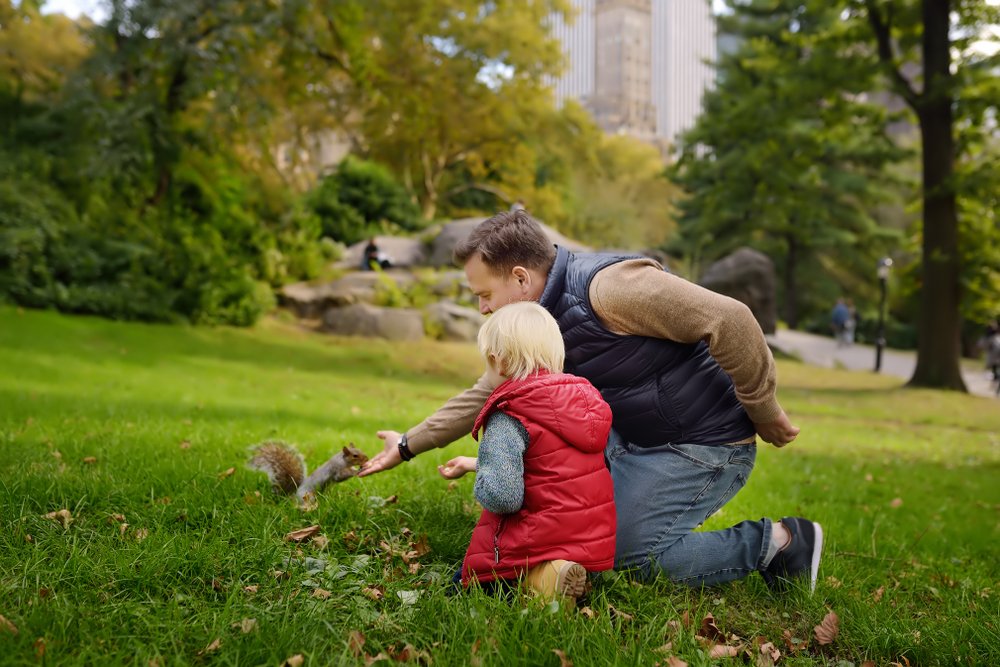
<point x="952" y="93"/>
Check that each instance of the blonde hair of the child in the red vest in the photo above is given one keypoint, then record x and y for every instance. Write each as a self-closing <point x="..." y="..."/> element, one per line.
<point x="523" y="338"/>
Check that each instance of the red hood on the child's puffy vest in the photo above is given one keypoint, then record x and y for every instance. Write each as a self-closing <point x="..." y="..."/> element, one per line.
<point x="567" y="405"/>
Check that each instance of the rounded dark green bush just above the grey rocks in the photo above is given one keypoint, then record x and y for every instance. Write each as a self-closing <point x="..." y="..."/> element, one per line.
<point x="361" y="199"/>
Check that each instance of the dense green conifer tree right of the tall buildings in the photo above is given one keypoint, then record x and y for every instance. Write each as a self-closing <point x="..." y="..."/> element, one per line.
<point x="787" y="156"/>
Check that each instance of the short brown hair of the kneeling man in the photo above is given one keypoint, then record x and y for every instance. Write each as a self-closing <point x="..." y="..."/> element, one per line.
<point x="508" y="239"/>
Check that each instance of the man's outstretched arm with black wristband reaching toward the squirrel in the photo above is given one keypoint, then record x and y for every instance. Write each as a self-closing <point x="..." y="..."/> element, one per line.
<point x="452" y="421"/>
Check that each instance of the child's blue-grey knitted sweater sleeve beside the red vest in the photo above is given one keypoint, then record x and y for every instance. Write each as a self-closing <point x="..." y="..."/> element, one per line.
<point x="500" y="464"/>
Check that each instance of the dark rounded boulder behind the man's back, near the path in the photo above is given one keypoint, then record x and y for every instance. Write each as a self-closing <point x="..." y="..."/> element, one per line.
<point x="747" y="276"/>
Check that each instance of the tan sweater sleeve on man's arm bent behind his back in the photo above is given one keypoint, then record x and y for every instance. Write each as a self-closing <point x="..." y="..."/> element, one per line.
<point x="638" y="298"/>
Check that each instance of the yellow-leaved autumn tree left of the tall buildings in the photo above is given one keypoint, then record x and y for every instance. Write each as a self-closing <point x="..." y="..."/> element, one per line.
<point x="433" y="84"/>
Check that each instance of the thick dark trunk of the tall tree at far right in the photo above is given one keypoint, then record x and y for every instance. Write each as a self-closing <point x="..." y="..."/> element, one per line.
<point x="939" y="326"/>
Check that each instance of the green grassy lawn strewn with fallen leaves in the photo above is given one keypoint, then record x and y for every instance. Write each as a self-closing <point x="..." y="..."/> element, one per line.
<point x="906" y="483"/>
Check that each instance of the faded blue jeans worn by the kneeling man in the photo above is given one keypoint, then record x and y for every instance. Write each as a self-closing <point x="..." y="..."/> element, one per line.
<point x="663" y="493"/>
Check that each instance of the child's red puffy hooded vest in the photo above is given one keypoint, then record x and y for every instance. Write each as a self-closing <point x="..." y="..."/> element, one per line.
<point x="569" y="505"/>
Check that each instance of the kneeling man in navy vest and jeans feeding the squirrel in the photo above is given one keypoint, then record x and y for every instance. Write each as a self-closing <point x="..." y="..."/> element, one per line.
<point x="690" y="381"/>
